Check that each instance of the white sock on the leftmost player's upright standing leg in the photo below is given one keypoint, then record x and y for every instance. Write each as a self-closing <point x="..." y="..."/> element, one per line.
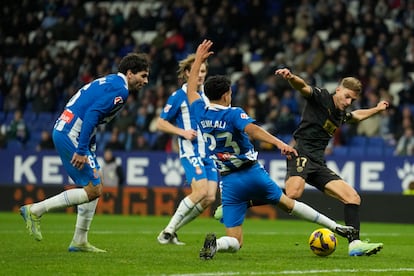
<point x="86" y="211"/>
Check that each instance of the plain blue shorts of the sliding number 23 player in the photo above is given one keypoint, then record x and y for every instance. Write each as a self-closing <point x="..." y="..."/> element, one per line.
<point x="239" y="187"/>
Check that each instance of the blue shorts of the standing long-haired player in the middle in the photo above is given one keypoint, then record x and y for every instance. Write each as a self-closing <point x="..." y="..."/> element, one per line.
<point x="198" y="168"/>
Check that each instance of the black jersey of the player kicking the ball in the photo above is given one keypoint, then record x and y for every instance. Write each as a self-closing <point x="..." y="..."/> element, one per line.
<point x="320" y="119"/>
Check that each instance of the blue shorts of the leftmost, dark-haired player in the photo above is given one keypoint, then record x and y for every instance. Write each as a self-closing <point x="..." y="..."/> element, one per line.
<point x="66" y="149"/>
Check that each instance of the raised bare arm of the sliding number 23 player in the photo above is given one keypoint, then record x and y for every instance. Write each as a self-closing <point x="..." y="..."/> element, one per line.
<point x="202" y="53"/>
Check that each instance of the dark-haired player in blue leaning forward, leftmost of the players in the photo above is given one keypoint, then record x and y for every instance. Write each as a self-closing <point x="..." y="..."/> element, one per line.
<point x="94" y="104"/>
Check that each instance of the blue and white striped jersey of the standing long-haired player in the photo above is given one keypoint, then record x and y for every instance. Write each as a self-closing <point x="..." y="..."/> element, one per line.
<point x="177" y="112"/>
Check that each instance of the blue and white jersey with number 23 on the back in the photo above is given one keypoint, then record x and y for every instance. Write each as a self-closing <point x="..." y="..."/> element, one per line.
<point x="223" y="131"/>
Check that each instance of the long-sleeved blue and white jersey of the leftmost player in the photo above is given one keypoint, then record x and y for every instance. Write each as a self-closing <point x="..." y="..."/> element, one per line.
<point x="95" y="103"/>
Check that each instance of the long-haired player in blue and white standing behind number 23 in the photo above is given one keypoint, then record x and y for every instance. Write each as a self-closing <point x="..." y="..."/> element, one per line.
<point x="200" y="170"/>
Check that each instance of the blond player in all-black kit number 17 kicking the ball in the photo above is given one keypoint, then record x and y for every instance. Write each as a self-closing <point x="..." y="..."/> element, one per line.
<point x="322" y="115"/>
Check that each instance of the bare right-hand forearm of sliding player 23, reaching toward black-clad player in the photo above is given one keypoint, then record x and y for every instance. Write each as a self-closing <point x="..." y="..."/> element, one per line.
<point x="257" y="133"/>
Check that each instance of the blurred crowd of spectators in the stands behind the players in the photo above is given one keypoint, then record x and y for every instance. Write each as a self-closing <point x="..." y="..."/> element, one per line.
<point x="50" y="48"/>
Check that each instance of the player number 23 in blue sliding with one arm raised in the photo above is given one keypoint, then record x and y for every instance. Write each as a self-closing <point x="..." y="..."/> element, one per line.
<point x="227" y="131"/>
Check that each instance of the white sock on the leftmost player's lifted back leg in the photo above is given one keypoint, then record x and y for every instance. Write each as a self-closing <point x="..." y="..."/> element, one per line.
<point x="64" y="199"/>
